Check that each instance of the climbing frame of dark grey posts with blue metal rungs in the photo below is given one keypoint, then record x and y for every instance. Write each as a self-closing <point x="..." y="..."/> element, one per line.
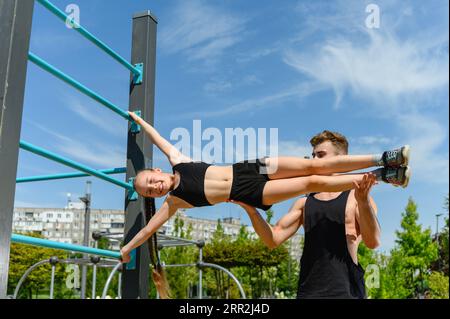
<point x="15" y="30"/>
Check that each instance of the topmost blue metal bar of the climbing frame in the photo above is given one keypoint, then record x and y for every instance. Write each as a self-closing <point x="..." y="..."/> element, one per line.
<point x="63" y="16"/>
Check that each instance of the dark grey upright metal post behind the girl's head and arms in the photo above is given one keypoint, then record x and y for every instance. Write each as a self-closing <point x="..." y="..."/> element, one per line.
<point x="140" y="150"/>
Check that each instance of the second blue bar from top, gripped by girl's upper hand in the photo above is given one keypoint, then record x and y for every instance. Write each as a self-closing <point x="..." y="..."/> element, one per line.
<point x="71" y="81"/>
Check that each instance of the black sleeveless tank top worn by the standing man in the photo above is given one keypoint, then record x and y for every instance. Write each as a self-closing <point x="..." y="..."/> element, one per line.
<point x="326" y="267"/>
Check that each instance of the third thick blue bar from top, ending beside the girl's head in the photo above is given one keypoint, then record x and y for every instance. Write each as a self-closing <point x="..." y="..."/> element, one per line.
<point x="54" y="157"/>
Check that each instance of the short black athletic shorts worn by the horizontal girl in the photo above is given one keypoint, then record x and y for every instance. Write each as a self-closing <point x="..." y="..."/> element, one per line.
<point x="248" y="183"/>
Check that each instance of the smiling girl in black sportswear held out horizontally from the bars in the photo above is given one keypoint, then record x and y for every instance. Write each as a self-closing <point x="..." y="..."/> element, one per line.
<point x="260" y="183"/>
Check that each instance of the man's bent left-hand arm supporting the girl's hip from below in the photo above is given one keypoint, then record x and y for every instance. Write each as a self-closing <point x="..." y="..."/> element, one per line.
<point x="286" y="227"/>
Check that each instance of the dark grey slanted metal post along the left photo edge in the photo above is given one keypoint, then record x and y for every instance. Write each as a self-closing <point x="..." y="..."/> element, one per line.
<point x="15" y="29"/>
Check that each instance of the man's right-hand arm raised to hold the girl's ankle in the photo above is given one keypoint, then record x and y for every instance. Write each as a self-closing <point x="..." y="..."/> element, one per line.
<point x="366" y="213"/>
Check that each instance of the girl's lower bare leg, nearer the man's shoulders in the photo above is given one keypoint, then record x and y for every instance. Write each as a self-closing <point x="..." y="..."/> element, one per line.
<point x="279" y="190"/>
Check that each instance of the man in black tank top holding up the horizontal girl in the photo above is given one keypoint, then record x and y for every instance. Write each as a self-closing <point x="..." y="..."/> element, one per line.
<point x="335" y="224"/>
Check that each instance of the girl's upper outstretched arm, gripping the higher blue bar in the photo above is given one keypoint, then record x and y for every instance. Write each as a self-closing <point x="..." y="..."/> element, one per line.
<point x="173" y="154"/>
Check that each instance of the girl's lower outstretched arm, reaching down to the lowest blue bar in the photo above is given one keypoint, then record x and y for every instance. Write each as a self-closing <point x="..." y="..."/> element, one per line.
<point x="163" y="214"/>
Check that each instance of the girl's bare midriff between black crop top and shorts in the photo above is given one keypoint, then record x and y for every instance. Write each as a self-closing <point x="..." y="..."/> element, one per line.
<point x="218" y="181"/>
